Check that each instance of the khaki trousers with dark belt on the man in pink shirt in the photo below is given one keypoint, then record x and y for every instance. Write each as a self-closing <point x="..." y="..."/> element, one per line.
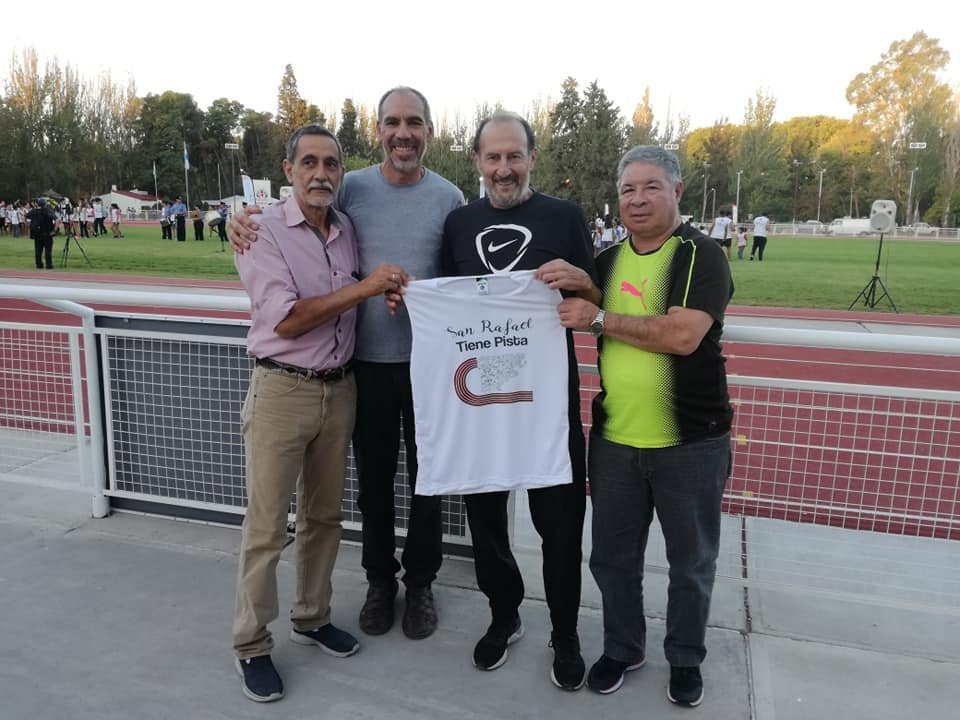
<point x="295" y="435"/>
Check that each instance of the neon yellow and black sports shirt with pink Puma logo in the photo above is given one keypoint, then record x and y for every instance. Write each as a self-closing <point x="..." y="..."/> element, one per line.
<point x="656" y="400"/>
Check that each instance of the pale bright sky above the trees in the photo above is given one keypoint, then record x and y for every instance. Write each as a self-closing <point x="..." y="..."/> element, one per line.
<point x="703" y="60"/>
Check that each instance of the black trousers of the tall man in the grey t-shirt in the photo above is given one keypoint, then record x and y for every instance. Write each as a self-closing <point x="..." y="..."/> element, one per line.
<point x="384" y="397"/>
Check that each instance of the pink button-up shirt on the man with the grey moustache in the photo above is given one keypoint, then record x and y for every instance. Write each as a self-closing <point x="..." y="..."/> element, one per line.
<point x="290" y="262"/>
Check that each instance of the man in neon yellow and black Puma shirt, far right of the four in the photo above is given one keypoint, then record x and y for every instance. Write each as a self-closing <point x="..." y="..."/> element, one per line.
<point x="660" y="440"/>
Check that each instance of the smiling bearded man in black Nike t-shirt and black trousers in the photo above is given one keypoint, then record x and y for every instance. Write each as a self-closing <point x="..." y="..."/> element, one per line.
<point x="515" y="228"/>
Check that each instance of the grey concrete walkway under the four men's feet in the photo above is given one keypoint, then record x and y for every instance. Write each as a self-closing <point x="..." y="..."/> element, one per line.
<point x="129" y="617"/>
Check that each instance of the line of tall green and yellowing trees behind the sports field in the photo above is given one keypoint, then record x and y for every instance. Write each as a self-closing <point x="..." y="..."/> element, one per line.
<point x="80" y="136"/>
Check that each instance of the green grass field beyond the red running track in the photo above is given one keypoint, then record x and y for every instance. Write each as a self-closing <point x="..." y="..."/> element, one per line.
<point x="921" y="276"/>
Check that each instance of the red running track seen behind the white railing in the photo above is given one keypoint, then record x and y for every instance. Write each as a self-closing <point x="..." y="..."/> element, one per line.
<point x="837" y="458"/>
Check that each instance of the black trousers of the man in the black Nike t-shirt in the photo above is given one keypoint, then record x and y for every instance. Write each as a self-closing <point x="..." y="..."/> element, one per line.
<point x="557" y="513"/>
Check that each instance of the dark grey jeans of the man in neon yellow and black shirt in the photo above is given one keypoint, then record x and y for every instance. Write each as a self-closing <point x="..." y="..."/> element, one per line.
<point x="684" y="485"/>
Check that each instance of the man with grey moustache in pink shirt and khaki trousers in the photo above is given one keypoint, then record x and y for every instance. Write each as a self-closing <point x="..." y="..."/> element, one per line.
<point x="299" y="411"/>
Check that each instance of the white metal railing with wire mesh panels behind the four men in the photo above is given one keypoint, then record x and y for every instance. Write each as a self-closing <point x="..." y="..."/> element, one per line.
<point x="839" y="489"/>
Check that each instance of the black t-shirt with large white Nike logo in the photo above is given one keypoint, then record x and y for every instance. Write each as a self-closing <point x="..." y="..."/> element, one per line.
<point x="479" y="239"/>
